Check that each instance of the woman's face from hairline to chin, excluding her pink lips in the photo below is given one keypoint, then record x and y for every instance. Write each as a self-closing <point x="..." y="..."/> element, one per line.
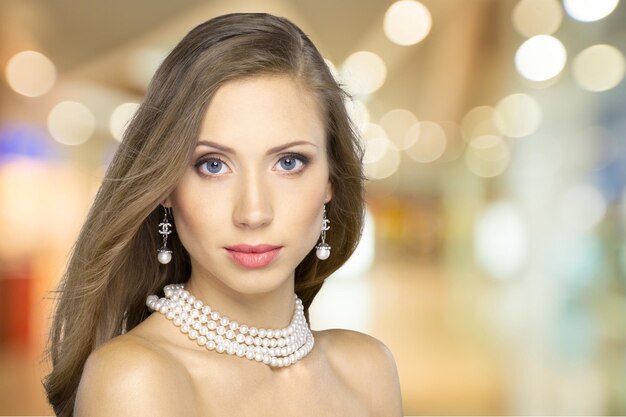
<point x="264" y="189"/>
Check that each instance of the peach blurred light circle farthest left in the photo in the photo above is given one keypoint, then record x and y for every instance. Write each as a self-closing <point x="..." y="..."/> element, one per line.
<point x="30" y="73"/>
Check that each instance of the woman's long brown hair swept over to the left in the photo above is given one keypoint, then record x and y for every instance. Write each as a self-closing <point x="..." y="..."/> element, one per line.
<point x="113" y="267"/>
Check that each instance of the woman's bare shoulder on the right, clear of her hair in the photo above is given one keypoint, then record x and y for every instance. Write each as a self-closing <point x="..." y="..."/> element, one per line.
<point x="369" y="366"/>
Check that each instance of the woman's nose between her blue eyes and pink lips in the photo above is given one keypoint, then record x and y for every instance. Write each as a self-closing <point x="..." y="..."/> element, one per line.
<point x="253" y="208"/>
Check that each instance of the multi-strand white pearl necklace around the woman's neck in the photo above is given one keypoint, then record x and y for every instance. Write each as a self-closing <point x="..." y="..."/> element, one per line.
<point x="273" y="347"/>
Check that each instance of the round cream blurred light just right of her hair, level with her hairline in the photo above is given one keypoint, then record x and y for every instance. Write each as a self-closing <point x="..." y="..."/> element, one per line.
<point x="363" y="72"/>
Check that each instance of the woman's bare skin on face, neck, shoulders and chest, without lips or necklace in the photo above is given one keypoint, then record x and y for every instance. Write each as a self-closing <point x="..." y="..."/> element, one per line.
<point x="154" y="369"/>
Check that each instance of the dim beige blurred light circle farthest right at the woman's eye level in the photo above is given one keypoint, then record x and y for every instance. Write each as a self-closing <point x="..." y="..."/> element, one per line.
<point x="487" y="156"/>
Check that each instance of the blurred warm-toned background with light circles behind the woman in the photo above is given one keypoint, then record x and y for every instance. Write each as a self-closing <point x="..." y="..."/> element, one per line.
<point x="493" y="262"/>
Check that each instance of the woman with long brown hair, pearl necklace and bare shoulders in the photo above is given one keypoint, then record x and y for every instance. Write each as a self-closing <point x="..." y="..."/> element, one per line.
<point x="188" y="290"/>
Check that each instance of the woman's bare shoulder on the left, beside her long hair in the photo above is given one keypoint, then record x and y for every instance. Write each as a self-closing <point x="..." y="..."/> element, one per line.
<point x="128" y="377"/>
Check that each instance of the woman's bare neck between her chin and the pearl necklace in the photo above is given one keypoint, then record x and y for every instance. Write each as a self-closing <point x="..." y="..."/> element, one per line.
<point x="270" y="310"/>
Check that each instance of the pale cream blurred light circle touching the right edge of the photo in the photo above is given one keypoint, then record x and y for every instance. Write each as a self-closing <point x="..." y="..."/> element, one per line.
<point x="599" y="67"/>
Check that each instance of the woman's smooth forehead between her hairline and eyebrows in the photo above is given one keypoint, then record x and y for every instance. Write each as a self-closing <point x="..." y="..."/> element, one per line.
<point x="266" y="110"/>
